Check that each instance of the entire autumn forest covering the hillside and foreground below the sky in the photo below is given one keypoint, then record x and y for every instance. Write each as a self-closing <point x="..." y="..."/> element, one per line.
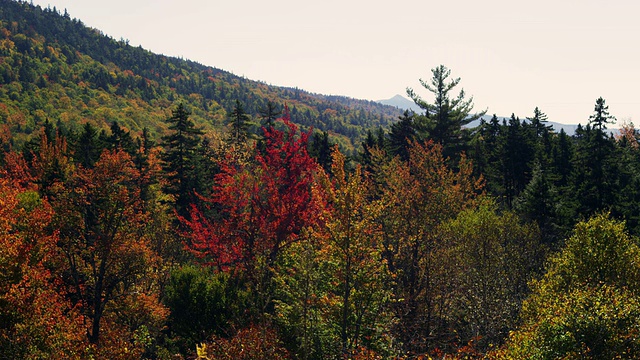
<point x="149" y="211"/>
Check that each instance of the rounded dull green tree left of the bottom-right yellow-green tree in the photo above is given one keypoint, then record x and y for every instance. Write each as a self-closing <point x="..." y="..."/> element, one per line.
<point x="491" y="257"/>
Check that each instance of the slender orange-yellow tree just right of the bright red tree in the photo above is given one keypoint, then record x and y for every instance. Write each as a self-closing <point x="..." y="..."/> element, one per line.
<point x="361" y="275"/>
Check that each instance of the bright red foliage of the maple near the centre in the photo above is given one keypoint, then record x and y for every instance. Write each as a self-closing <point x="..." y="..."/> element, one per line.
<point x="264" y="205"/>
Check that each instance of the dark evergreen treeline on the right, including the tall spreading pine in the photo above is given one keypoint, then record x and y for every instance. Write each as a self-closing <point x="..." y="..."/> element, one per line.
<point x="545" y="176"/>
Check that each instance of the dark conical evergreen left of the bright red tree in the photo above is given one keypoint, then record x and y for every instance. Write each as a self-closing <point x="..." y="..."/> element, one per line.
<point x="180" y="159"/>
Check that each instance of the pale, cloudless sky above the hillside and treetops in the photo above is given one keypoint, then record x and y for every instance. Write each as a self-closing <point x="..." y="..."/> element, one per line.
<point x="511" y="56"/>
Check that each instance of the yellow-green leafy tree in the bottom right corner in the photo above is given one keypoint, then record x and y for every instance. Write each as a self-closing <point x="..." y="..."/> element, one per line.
<point x="587" y="305"/>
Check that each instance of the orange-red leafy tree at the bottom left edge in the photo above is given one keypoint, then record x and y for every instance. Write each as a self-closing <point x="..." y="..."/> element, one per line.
<point x="37" y="320"/>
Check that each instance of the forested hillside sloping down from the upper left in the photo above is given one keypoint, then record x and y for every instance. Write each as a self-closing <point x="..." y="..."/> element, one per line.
<point x="53" y="67"/>
